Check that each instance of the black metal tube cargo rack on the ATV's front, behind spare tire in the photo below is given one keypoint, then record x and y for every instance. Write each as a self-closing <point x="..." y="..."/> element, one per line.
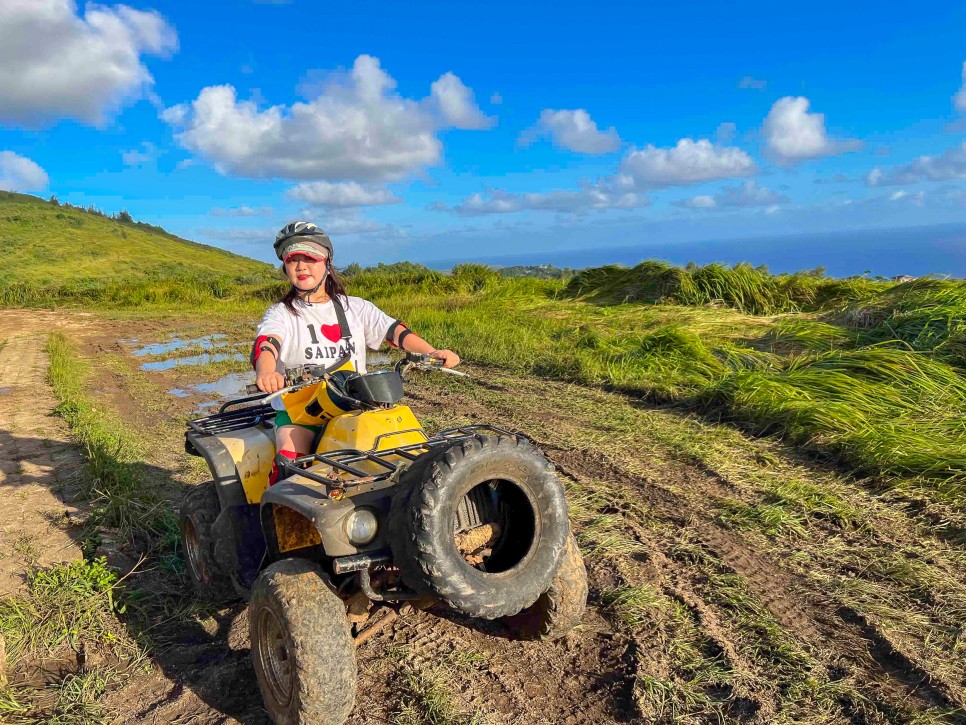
<point x="343" y="460"/>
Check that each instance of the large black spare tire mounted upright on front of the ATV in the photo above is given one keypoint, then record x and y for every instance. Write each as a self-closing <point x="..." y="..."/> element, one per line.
<point x="529" y="536"/>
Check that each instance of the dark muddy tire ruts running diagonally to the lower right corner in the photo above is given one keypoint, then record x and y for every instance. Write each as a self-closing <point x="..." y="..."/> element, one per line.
<point x="809" y="614"/>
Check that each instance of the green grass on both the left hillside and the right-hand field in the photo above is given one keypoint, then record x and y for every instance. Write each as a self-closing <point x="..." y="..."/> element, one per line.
<point x="866" y="372"/>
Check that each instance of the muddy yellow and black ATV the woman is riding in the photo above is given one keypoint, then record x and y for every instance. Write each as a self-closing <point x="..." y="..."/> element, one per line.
<point x="380" y="520"/>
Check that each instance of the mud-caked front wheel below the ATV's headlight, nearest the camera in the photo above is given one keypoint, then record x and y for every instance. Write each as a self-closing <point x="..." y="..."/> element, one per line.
<point x="302" y="649"/>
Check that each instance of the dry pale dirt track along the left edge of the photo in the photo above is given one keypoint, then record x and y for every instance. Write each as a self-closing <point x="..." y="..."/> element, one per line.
<point x="37" y="461"/>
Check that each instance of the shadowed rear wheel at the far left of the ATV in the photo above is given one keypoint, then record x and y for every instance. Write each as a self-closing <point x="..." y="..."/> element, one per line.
<point x="199" y="509"/>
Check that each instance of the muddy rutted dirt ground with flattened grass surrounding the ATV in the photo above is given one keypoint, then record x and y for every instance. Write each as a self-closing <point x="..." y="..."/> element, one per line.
<point x="852" y="610"/>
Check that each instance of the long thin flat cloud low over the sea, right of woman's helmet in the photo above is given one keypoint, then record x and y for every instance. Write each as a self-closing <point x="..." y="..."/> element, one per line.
<point x="588" y="198"/>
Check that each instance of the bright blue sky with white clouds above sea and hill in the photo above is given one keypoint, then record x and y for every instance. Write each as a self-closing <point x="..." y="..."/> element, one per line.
<point x="446" y="130"/>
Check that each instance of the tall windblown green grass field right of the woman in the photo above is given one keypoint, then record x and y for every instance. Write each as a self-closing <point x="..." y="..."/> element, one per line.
<point x="871" y="375"/>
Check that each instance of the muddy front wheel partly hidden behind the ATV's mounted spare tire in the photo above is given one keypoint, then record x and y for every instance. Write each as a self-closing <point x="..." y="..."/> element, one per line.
<point x="559" y="609"/>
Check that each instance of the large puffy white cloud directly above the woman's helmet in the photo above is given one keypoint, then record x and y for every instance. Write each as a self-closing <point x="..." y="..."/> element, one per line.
<point x="357" y="128"/>
